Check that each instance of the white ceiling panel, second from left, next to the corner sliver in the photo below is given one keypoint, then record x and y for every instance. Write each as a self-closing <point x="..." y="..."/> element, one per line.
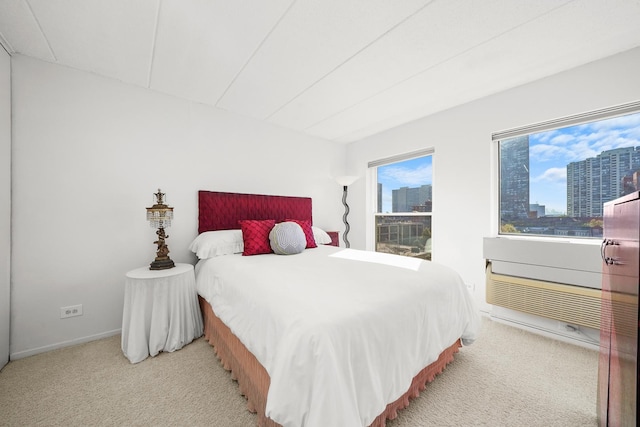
<point x="112" y="38"/>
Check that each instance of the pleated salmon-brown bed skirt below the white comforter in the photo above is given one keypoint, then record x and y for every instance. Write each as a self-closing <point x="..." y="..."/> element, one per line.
<point x="253" y="380"/>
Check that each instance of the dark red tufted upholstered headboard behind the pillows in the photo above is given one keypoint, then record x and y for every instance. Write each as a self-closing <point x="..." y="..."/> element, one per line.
<point x="222" y="211"/>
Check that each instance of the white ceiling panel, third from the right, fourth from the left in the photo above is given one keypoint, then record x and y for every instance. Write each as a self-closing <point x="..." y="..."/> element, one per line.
<point x="314" y="38"/>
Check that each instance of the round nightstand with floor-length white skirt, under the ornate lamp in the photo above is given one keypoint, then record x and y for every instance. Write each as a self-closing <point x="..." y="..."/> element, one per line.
<point x="161" y="311"/>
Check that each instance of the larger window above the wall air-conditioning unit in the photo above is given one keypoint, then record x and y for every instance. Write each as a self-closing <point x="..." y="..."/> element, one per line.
<point x="556" y="176"/>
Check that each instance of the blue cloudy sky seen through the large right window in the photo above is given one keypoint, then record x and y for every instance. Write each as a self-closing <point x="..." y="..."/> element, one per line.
<point x="550" y="152"/>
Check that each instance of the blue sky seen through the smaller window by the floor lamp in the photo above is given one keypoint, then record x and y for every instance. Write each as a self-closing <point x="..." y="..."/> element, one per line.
<point x="409" y="173"/>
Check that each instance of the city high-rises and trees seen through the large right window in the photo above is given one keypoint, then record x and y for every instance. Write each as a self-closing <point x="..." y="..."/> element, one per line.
<point x="590" y="183"/>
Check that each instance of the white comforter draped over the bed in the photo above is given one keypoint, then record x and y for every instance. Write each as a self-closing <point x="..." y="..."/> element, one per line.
<point x="341" y="332"/>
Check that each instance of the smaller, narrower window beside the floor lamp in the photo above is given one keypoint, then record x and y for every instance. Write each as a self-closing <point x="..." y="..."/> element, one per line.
<point x="404" y="189"/>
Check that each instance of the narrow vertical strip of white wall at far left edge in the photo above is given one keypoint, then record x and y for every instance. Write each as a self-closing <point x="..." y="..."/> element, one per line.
<point x="5" y="203"/>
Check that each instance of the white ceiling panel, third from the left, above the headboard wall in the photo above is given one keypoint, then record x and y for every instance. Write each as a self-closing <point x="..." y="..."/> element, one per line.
<point x="202" y="44"/>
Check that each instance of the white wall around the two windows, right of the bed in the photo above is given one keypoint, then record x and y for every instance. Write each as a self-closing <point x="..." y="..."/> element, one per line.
<point x="465" y="183"/>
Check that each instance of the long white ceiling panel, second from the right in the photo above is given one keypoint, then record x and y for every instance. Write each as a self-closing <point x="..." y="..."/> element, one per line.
<point x="436" y="34"/>
